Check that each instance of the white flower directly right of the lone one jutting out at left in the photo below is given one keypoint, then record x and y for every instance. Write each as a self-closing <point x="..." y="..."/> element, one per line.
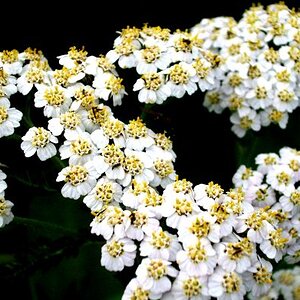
<point x="79" y="149"/>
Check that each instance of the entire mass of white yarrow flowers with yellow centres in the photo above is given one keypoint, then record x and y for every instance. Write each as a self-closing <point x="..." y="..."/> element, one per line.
<point x="185" y="241"/>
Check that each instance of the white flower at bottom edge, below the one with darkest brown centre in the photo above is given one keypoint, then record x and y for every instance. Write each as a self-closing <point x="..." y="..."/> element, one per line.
<point x="226" y="285"/>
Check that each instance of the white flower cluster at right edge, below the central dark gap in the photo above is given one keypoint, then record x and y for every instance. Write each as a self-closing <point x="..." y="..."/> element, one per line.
<point x="273" y="191"/>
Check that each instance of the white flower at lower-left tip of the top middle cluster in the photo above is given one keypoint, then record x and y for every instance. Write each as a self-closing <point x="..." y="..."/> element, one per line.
<point x="152" y="88"/>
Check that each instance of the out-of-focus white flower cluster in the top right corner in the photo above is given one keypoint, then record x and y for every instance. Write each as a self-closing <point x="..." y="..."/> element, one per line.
<point x="259" y="68"/>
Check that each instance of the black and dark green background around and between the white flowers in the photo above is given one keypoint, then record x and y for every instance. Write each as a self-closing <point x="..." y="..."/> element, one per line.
<point x="62" y="260"/>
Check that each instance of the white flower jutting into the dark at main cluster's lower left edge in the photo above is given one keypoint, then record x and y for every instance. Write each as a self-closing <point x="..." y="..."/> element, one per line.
<point x="117" y="254"/>
